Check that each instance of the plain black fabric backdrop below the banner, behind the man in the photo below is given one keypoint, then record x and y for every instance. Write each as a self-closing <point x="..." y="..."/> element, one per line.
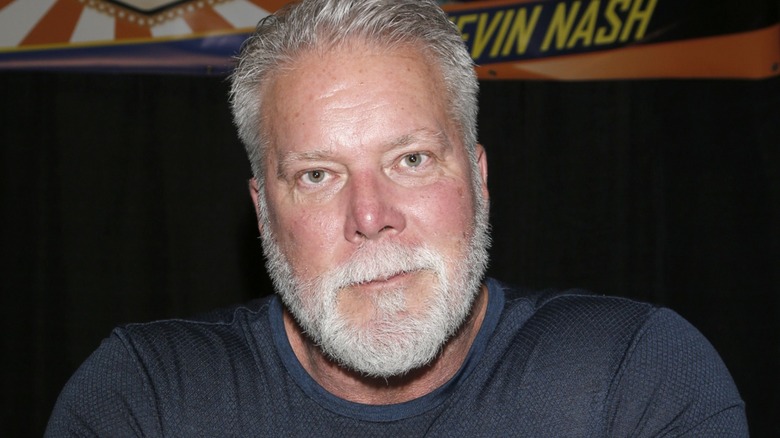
<point x="124" y="199"/>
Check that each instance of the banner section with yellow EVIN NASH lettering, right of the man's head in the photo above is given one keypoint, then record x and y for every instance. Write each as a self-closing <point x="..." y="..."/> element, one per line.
<point x="613" y="39"/>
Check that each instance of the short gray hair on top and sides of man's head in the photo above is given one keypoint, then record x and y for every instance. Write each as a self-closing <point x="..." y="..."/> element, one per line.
<point x="320" y="25"/>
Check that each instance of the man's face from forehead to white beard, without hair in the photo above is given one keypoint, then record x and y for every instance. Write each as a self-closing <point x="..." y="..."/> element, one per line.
<point x="372" y="233"/>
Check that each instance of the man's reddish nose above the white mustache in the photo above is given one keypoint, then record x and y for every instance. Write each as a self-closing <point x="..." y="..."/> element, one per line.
<point x="372" y="212"/>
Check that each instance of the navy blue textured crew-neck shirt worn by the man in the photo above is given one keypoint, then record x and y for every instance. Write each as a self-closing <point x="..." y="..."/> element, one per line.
<point x="562" y="364"/>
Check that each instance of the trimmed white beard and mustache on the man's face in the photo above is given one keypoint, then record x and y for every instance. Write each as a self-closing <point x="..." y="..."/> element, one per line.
<point x="396" y="339"/>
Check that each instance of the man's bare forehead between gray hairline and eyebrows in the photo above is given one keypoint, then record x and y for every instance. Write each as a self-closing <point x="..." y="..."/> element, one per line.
<point x="317" y="89"/>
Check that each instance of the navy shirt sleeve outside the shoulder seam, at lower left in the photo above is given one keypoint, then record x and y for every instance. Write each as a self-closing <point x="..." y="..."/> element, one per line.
<point x="108" y="396"/>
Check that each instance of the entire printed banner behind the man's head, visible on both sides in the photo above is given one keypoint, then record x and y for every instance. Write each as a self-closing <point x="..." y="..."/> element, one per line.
<point x="509" y="39"/>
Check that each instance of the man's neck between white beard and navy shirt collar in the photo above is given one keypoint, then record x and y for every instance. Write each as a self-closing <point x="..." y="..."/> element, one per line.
<point x="355" y="387"/>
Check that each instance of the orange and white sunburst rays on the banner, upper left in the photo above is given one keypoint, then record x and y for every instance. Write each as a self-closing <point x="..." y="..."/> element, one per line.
<point x="51" y="23"/>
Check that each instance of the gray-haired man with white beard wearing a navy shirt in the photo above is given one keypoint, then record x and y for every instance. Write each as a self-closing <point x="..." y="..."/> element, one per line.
<point x="359" y="118"/>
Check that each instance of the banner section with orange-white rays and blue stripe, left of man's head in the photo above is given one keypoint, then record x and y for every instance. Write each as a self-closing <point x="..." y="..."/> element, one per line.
<point x="168" y="36"/>
